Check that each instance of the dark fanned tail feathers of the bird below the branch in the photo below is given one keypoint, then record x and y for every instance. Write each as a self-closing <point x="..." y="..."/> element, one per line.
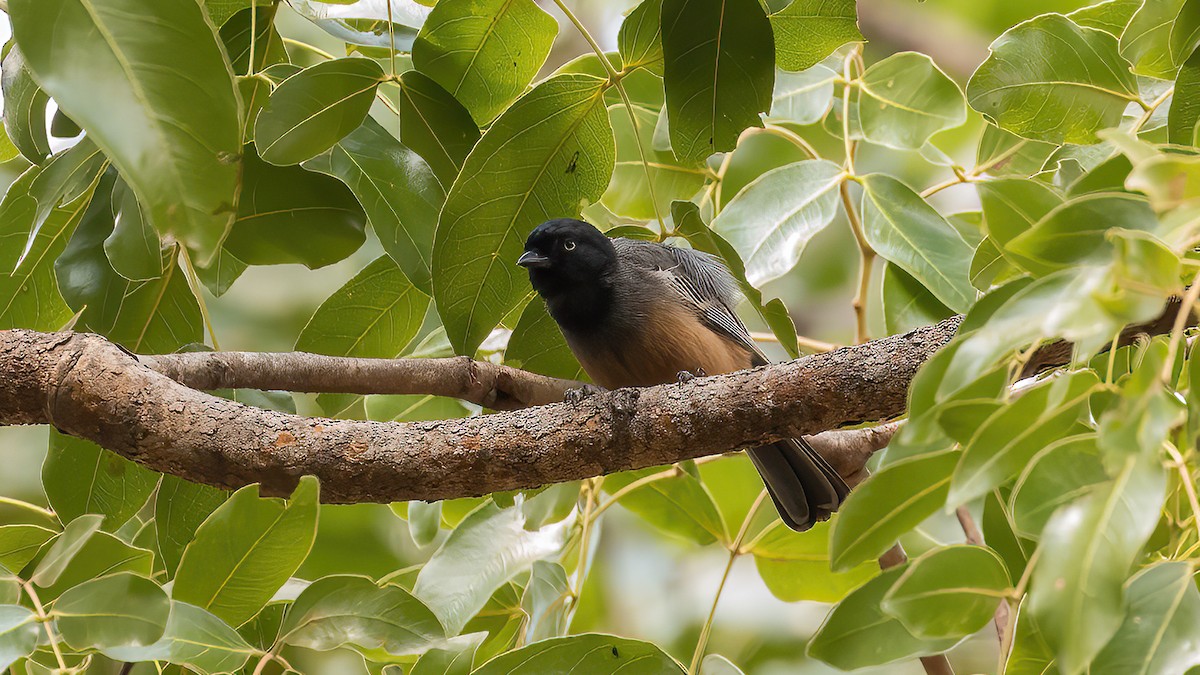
<point x="803" y="486"/>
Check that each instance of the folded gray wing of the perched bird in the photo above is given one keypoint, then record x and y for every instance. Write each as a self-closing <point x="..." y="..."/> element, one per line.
<point x="699" y="279"/>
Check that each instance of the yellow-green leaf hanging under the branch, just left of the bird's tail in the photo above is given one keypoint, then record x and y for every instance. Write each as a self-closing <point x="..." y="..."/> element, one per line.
<point x="679" y="505"/>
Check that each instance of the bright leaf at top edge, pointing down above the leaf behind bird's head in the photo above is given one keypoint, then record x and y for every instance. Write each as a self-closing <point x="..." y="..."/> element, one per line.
<point x="484" y="52"/>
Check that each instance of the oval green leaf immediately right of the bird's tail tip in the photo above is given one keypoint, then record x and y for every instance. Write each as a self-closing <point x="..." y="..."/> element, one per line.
<point x="890" y="504"/>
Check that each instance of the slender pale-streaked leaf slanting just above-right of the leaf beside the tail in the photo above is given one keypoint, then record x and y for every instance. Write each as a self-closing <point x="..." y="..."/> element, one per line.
<point x="1010" y="439"/>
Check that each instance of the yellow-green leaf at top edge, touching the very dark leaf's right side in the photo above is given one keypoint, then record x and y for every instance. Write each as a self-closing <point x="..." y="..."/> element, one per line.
<point x="809" y="31"/>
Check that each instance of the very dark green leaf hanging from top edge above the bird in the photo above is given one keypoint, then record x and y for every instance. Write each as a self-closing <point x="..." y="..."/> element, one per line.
<point x="718" y="73"/>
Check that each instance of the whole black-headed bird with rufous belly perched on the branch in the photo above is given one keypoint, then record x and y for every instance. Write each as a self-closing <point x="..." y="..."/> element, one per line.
<point x="639" y="314"/>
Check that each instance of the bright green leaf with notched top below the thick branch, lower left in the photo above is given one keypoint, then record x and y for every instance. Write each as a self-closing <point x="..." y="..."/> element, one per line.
<point x="247" y="551"/>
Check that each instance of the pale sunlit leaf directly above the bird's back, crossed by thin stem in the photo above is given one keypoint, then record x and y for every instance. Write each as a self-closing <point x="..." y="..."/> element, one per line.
<point x="629" y="193"/>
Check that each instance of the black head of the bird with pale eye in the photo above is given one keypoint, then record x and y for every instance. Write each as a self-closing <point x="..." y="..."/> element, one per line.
<point x="569" y="264"/>
